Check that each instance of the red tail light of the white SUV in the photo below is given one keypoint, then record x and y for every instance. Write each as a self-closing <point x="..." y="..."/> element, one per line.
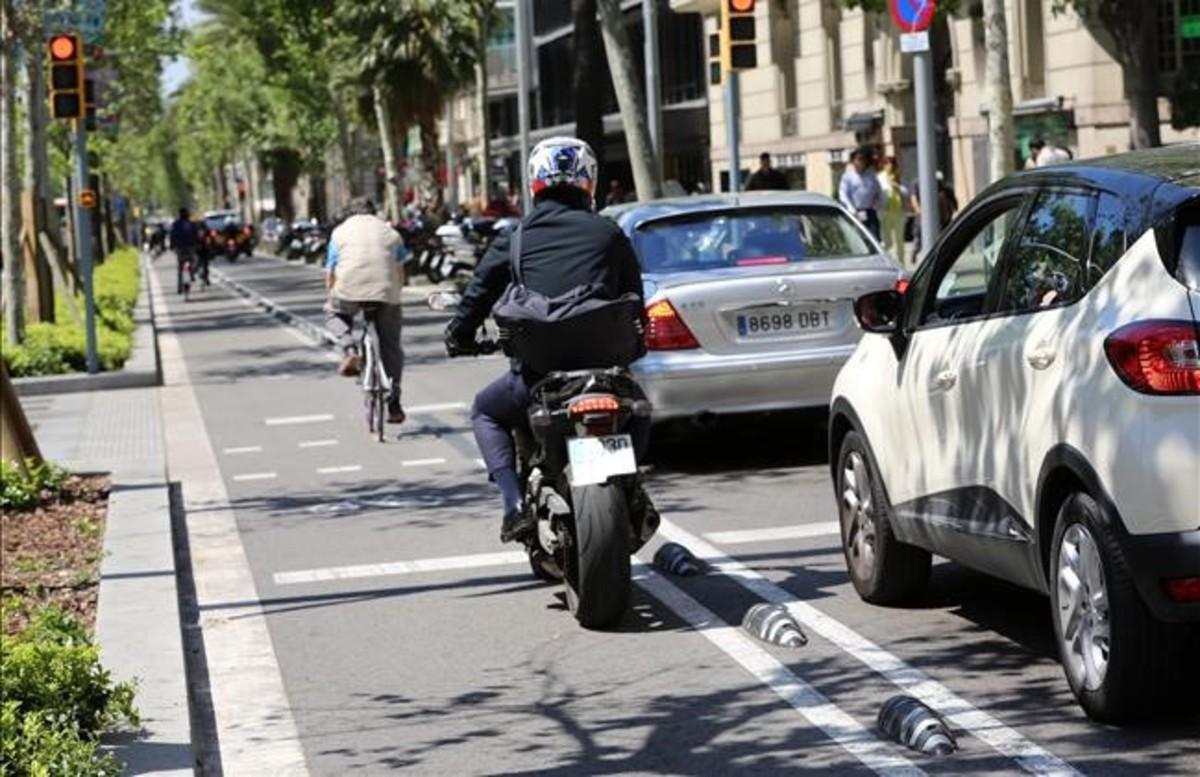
<point x="1157" y="357"/>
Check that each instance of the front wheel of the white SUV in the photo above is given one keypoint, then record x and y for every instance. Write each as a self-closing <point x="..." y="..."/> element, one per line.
<point x="884" y="570"/>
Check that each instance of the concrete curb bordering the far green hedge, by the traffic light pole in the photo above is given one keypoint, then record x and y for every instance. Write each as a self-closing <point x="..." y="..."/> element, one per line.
<point x="141" y="370"/>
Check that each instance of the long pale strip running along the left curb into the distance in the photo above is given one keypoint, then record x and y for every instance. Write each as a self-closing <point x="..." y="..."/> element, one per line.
<point x="253" y="714"/>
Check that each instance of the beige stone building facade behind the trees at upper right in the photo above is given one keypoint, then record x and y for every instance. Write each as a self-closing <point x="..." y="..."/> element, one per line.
<point x="830" y="80"/>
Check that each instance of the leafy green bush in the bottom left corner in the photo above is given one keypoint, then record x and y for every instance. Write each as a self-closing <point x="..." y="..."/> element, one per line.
<point x="58" y="700"/>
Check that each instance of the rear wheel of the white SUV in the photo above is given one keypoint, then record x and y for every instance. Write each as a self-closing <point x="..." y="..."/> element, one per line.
<point x="1118" y="658"/>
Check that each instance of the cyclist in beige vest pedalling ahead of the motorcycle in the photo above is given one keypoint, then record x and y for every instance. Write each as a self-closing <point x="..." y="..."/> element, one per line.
<point x="364" y="273"/>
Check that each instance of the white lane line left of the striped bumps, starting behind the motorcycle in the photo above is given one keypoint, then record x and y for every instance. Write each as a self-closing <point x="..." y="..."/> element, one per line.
<point x="811" y="703"/>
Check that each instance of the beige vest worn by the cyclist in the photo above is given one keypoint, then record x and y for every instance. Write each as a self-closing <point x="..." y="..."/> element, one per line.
<point x="368" y="269"/>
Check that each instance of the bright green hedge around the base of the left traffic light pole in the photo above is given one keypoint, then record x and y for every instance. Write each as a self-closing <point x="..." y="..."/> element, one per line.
<point x="52" y="350"/>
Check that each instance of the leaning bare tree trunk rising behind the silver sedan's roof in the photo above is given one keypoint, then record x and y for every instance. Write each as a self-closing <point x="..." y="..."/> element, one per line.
<point x="629" y="98"/>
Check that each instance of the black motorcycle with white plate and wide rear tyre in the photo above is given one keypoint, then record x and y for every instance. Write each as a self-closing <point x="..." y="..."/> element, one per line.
<point x="580" y="473"/>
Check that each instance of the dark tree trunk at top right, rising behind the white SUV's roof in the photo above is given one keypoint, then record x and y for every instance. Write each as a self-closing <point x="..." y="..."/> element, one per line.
<point x="1130" y="32"/>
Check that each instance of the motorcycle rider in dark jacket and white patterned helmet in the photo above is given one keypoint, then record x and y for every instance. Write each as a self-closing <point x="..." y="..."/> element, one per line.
<point x="565" y="245"/>
